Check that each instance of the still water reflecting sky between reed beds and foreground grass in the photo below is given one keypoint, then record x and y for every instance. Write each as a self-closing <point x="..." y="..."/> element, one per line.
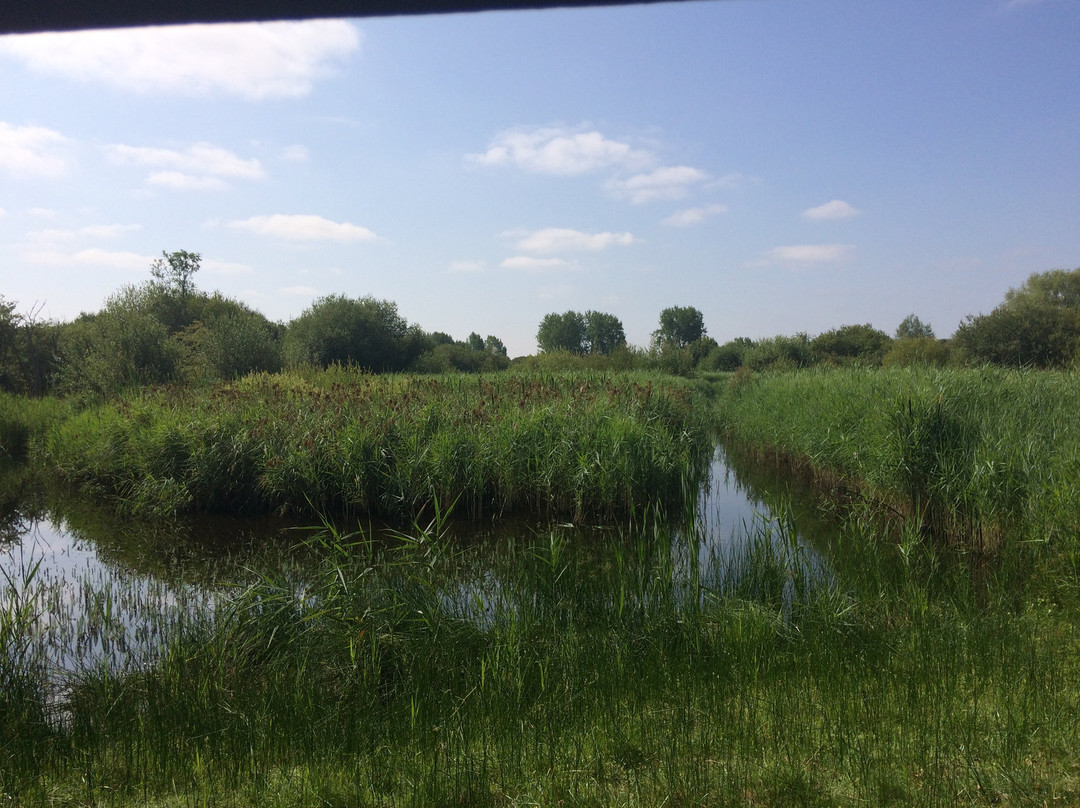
<point x="90" y="576"/>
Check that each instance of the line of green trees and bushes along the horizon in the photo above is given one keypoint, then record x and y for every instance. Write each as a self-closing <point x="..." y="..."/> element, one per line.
<point x="167" y="331"/>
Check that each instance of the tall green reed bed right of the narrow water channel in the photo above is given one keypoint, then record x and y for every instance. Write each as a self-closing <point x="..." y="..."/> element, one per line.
<point x="971" y="457"/>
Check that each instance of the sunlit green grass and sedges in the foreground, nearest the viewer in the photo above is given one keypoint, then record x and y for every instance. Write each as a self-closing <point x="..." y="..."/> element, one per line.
<point x="561" y="672"/>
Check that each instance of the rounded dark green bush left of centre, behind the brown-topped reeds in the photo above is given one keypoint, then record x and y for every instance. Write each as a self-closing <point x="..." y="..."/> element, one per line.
<point x="366" y="332"/>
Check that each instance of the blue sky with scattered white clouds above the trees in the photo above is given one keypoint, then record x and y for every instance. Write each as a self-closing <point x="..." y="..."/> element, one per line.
<point x="782" y="166"/>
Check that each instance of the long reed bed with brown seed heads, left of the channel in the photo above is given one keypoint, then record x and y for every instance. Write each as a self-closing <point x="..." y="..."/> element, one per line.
<point x="573" y="446"/>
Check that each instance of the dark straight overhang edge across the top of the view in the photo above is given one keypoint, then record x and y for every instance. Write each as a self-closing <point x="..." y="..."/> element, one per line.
<point x="25" y="17"/>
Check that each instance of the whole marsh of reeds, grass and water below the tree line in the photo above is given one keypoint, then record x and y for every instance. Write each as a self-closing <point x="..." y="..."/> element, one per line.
<point x="844" y="573"/>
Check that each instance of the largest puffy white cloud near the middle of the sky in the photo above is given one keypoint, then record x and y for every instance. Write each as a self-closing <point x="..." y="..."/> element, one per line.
<point x="560" y="152"/>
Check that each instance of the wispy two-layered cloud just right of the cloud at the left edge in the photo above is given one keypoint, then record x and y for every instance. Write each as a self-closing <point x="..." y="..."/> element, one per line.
<point x="200" y="167"/>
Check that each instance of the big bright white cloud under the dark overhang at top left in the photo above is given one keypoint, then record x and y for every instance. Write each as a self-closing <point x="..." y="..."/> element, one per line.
<point x="252" y="61"/>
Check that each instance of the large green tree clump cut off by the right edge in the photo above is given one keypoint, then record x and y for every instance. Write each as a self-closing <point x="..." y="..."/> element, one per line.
<point x="1038" y="325"/>
